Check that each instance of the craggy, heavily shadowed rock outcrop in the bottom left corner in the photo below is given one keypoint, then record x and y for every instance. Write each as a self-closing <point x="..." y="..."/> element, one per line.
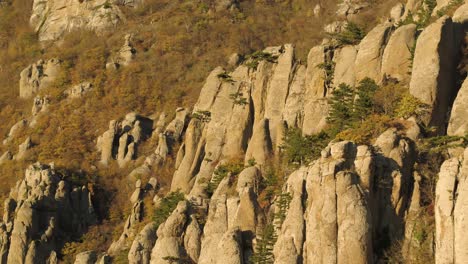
<point x="41" y="207"/>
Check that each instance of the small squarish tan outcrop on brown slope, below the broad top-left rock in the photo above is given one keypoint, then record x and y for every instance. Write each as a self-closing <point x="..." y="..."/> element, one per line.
<point x="38" y="76"/>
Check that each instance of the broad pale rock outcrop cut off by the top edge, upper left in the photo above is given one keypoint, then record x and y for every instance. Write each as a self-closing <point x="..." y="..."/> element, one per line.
<point x="52" y="19"/>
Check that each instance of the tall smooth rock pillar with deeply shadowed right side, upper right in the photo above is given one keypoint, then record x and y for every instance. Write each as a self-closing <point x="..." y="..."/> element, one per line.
<point x="433" y="74"/>
